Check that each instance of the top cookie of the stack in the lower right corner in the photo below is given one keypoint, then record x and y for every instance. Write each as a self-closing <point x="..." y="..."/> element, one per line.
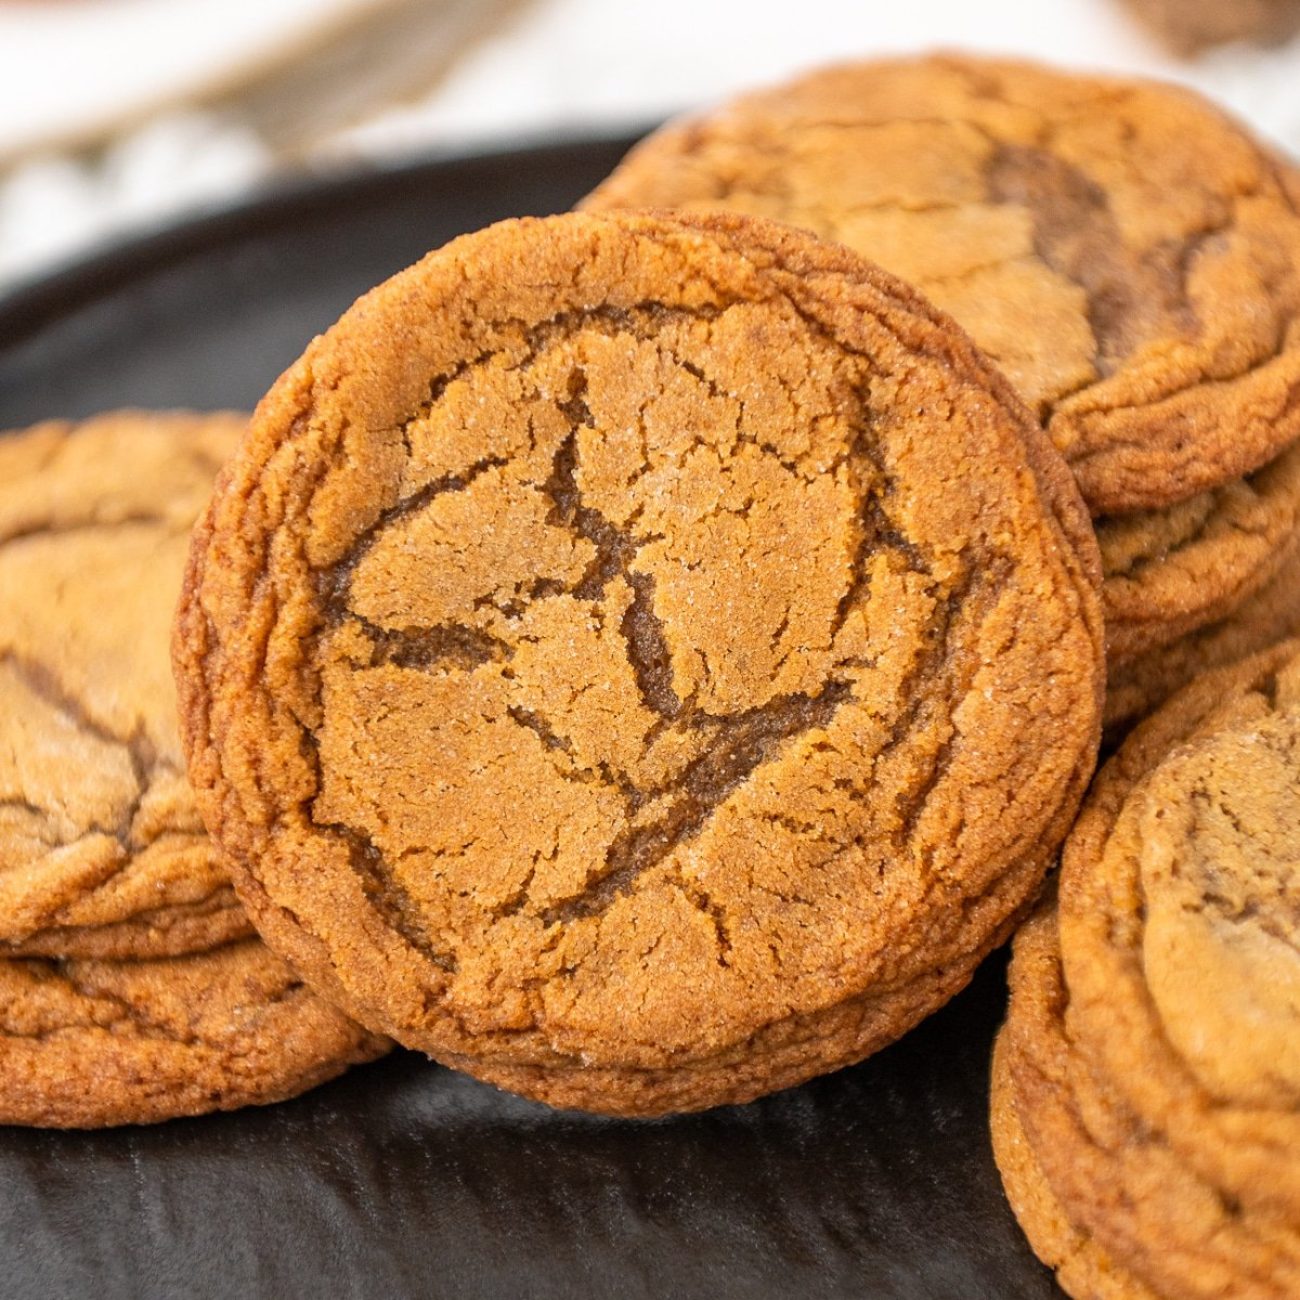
<point x="1180" y="895"/>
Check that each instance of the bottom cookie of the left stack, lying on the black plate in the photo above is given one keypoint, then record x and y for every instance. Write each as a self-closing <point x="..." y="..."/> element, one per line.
<point x="89" y="1045"/>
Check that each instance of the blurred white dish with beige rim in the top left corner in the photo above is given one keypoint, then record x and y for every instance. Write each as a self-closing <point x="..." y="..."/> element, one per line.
<point x="292" y="71"/>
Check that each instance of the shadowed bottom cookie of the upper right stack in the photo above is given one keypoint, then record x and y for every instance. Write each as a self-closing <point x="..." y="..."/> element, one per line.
<point x="1273" y="614"/>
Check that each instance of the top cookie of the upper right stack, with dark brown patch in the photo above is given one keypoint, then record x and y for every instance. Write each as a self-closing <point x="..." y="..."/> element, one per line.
<point x="1124" y="252"/>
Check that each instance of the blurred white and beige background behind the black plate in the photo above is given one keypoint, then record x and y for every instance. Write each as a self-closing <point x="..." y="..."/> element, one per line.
<point x="120" y="115"/>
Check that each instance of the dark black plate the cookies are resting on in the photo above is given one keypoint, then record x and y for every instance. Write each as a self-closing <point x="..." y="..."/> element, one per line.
<point x="405" y="1180"/>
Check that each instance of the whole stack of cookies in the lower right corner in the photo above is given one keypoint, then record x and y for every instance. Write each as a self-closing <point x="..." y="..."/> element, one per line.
<point x="1147" y="1082"/>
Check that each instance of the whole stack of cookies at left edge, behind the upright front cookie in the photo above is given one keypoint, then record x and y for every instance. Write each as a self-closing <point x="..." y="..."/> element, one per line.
<point x="131" y="985"/>
